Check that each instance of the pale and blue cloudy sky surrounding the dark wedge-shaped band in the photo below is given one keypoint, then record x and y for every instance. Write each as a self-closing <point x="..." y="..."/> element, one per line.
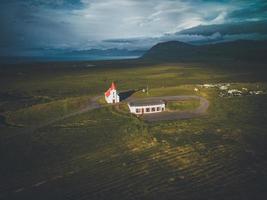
<point x="83" y="24"/>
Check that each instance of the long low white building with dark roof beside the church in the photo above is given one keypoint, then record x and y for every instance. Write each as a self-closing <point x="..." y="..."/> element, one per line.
<point x="146" y="107"/>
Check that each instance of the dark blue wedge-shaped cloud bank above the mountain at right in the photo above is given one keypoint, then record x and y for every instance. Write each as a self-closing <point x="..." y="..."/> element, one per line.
<point x="259" y="27"/>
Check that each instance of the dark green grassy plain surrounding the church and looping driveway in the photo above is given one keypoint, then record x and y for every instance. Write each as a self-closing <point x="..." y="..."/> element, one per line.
<point x="110" y="154"/>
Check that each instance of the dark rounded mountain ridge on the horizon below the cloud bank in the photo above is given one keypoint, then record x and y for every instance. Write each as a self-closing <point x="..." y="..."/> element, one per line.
<point x="244" y="50"/>
